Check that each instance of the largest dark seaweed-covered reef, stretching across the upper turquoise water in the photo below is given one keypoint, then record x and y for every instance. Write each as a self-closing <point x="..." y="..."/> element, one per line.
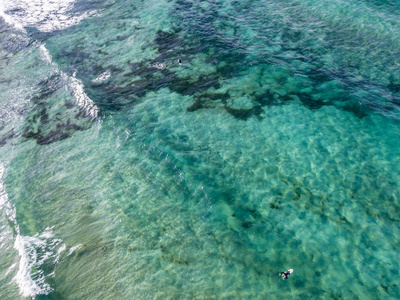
<point x="202" y="30"/>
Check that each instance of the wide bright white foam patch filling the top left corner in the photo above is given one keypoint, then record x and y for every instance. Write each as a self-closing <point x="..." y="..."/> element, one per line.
<point x="45" y="15"/>
